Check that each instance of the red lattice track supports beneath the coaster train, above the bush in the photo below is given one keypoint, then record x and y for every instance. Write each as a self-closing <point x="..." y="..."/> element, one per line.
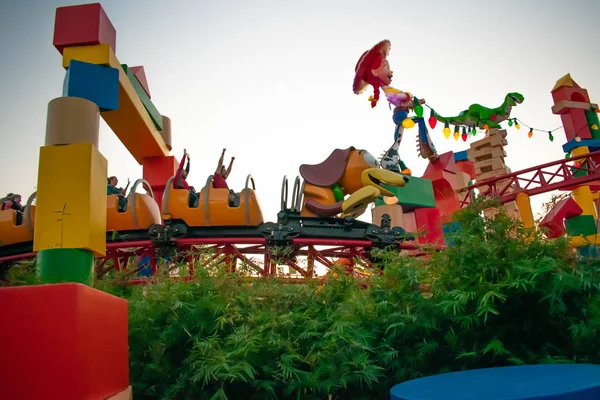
<point x="253" y="254"/>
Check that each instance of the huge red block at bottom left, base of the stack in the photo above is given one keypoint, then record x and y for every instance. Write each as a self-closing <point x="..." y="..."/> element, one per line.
<point x="62" y="341"/>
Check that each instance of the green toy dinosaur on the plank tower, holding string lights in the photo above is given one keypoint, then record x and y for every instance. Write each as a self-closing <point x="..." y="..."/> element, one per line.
<point x="479" y="116"/>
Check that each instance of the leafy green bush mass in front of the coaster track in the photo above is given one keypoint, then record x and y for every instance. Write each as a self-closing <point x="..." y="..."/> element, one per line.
<point x="501" y="296"/>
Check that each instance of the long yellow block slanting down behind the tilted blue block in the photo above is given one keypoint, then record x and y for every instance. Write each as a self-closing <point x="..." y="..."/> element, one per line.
<point x="130" y="122"/>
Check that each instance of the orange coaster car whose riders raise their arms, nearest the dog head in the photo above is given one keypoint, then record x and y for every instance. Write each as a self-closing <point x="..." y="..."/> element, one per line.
<point x="215" y="207"/>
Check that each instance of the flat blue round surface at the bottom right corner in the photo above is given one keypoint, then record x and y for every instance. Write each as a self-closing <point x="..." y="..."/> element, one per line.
<point x="529" y="382"/>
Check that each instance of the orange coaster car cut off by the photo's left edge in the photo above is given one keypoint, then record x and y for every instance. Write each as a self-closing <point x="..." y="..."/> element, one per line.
<point x="13" y="233"/>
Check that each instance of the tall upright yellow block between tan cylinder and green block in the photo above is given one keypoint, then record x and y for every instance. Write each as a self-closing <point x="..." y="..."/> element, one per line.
<point x="71" y="199"/>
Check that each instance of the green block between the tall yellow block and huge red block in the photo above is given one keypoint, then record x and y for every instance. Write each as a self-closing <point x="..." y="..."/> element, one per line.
<point x="66" y="265"/>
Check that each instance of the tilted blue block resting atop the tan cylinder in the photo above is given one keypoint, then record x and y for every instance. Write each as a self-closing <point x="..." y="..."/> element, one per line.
<point x="96" y="83"/>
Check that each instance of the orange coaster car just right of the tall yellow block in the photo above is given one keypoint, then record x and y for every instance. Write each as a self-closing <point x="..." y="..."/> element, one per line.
<point x="140" y="213"/>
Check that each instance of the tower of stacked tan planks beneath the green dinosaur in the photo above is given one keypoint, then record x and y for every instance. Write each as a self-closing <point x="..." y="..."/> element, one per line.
<point x="488" y="156"/>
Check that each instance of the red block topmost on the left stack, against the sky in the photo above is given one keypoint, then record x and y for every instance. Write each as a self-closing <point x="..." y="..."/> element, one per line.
<point x="83" y="25"/>
